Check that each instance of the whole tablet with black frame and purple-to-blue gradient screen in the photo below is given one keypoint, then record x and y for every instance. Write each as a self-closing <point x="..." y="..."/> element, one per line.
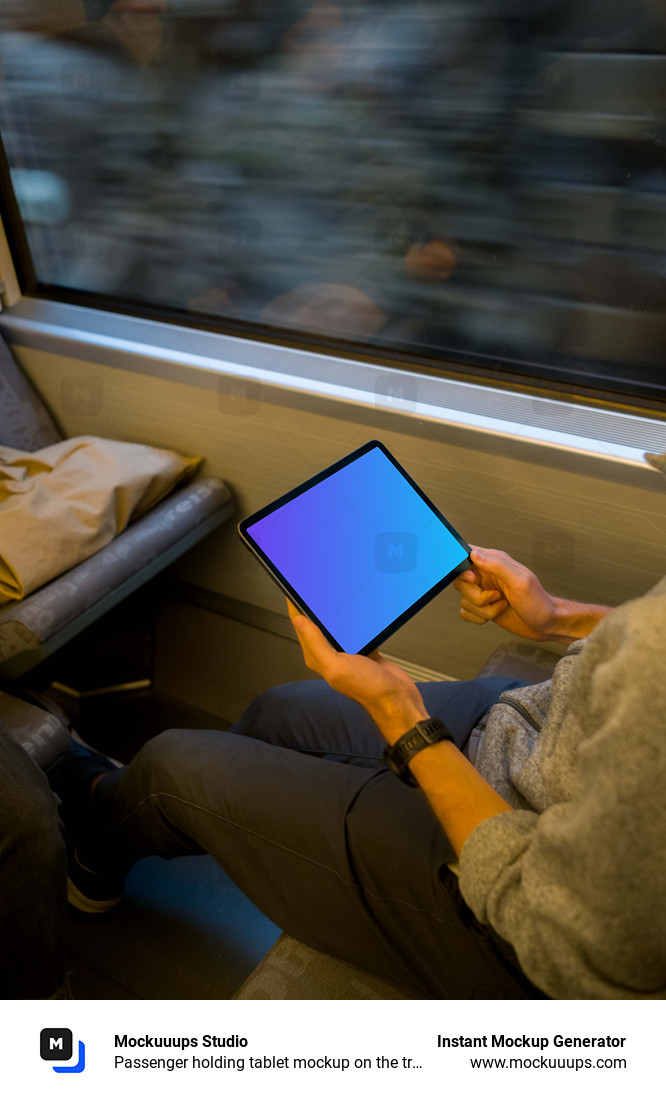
<point x="359" y="548"/>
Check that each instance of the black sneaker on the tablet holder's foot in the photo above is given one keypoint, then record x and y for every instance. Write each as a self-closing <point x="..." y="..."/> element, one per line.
<point x="94" y="885"/>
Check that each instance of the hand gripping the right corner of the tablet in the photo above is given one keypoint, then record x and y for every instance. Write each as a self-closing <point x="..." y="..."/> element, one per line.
<point x="503" y="591"/>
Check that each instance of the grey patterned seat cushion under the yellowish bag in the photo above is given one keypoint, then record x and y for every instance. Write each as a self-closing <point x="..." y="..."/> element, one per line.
<point x="29" y="624"/>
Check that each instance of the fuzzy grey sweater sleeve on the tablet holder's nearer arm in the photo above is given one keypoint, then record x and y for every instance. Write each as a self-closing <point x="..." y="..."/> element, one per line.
<point x="580" y="890"/>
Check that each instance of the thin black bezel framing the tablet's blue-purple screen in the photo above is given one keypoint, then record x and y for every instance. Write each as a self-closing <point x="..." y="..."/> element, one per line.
<point x="293" y="596"/>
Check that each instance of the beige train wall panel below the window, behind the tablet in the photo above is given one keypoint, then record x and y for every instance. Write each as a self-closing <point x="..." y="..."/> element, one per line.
<point x="223" y="633"/>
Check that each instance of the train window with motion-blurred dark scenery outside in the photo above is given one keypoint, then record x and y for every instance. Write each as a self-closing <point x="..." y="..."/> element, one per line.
<point x="467" y="182"/>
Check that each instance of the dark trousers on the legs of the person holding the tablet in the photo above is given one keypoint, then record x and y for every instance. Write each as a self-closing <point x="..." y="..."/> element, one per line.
<point x="296" y="805"/>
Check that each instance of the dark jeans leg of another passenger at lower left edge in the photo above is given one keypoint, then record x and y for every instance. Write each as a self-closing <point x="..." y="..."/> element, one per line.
<point x="32" y="879"/>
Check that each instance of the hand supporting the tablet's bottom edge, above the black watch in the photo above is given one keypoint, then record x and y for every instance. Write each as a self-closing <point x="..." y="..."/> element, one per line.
<point x="389" y="695"/>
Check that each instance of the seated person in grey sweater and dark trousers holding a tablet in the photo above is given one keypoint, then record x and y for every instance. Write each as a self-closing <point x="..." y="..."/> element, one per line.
<point x="537" y="871"/>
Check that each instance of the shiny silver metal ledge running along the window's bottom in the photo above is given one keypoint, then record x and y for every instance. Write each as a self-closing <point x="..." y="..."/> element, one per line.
<point x="553" y="433"/>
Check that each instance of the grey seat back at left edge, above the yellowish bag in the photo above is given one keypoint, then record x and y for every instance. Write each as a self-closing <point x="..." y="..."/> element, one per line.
<point x="26" y="423"/>
